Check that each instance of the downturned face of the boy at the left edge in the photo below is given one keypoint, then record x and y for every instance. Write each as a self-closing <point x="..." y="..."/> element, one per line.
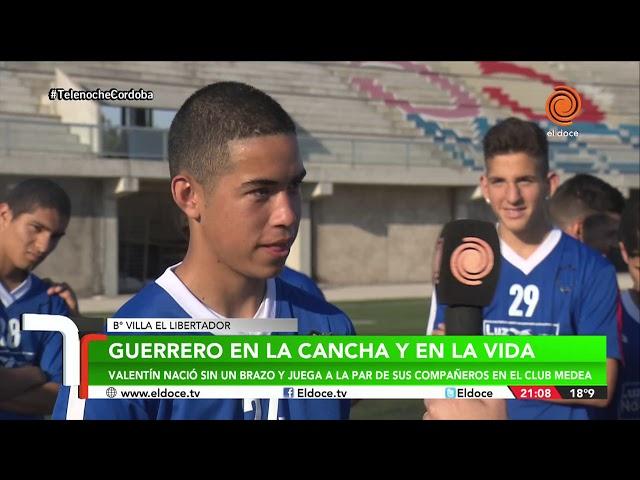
<point x="26" y="240"/>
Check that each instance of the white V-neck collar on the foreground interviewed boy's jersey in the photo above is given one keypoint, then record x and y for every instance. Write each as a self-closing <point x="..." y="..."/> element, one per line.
<point x="170" y="282"/>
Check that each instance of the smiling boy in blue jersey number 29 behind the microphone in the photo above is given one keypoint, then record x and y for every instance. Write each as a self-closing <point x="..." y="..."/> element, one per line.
<point x="550" y="283"/>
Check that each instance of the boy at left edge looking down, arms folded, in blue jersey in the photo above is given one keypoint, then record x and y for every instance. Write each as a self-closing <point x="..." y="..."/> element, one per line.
<point x="33" y="218"/>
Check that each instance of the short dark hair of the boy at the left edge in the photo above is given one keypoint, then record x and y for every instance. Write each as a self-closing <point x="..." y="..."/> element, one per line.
<point x="35" y="193"/>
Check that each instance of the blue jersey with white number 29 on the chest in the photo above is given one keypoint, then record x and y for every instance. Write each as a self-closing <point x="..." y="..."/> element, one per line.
<point x="563" y="288"/>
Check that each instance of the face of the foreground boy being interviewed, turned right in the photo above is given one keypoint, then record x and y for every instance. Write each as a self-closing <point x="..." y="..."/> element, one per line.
<point x="251" y="216"/>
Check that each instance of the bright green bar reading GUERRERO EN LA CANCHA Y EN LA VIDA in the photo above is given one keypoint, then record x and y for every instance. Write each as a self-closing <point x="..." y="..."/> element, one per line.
<point x="276" y="349"/>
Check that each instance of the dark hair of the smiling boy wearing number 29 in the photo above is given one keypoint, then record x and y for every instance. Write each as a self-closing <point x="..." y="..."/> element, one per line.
<point x="514" y="136"/>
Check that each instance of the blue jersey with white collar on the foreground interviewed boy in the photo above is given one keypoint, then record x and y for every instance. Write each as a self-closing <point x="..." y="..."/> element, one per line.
<point x="168" y="297"/>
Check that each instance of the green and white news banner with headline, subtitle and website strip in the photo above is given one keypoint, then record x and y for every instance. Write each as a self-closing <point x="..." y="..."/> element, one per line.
<point x="323" y="366"/>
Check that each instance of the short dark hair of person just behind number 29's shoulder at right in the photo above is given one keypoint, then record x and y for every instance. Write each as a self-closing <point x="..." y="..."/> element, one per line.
<point x="583" y="195"/>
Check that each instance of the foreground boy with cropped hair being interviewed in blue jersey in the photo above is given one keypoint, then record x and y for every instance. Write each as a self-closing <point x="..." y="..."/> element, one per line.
<point x="236" y="175"/>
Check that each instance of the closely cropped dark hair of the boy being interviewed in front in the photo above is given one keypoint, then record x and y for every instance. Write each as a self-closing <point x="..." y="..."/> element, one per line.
<point x="213" y="116"/>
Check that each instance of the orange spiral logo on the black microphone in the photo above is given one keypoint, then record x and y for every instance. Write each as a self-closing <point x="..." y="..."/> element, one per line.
<point x="471" y="261"/>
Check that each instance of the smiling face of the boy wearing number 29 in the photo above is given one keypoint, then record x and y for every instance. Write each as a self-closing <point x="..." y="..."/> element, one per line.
<point x="516" y="190"/>
